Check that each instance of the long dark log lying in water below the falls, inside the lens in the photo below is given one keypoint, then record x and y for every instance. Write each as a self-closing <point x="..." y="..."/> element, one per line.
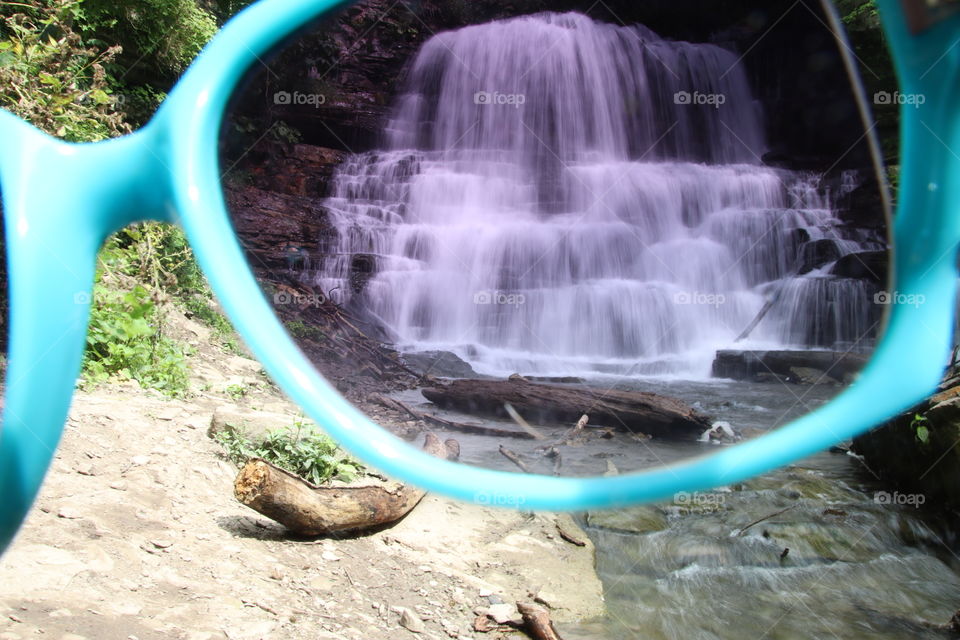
<point x="632" y="411"/>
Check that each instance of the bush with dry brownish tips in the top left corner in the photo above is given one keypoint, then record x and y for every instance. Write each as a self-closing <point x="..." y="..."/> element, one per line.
<point x="51" y="77"/>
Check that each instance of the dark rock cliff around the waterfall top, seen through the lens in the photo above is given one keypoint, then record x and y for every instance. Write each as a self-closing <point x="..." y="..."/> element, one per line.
<point x="356" y="65"/>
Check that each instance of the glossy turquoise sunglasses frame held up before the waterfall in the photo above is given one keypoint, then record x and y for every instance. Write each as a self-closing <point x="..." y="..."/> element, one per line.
<point x="170" y="171"/>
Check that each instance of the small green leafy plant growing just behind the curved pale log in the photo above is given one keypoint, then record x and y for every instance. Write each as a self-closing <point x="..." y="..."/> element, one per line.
<point x="300" y="449"/>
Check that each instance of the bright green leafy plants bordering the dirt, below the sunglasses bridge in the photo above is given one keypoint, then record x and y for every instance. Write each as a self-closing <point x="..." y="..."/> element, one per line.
<point x="125" y="341"/>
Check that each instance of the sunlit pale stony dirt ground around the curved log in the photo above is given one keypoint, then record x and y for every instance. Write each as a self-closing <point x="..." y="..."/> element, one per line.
<point x="136" y="534"/>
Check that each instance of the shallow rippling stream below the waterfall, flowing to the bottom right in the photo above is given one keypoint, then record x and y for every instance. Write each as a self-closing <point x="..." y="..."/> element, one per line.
<point x="857" y="566"/>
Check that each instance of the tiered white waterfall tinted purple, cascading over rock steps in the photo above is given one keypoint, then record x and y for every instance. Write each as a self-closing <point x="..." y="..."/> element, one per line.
<point x="563" y="196"/>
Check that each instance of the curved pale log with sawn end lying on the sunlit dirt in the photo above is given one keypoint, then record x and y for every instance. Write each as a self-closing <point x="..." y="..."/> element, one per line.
<point x="311" y="510"/>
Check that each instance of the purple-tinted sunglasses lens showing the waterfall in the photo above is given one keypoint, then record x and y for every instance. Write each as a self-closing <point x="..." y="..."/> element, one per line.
<point x="661" y="219"/>
